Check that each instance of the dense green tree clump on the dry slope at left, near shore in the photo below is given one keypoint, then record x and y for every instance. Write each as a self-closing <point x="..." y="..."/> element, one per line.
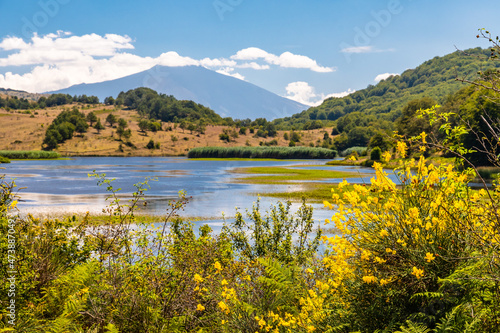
<point x="63" y="128"/>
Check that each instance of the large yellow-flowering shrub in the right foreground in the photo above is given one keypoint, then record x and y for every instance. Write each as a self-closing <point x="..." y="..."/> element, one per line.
<point x="401" y="239"/>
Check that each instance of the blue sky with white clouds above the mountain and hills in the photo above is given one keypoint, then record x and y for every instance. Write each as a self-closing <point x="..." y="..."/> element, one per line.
<point x="306" y="50"/>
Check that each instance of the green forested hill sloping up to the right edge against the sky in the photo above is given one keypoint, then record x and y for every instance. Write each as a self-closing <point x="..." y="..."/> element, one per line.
<point x="435" y="78"/>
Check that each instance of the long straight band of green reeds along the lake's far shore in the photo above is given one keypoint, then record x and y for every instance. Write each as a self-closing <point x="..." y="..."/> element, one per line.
<point x="262" y="152"/>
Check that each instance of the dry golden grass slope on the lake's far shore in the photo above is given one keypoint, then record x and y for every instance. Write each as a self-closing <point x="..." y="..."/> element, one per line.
<point x="23" y="131"/>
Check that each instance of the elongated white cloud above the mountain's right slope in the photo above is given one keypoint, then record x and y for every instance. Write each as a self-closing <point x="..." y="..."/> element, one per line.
<point x="286" y="59"/>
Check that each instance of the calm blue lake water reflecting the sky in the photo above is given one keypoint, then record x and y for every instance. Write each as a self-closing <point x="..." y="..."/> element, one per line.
<point x="63" y="186"/>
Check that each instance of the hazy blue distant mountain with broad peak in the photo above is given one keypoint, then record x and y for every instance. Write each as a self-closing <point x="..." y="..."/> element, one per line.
<point x="226" y="95"/>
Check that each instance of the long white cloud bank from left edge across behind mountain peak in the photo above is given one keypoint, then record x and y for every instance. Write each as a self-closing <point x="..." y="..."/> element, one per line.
<point x="59" y="60"/>
